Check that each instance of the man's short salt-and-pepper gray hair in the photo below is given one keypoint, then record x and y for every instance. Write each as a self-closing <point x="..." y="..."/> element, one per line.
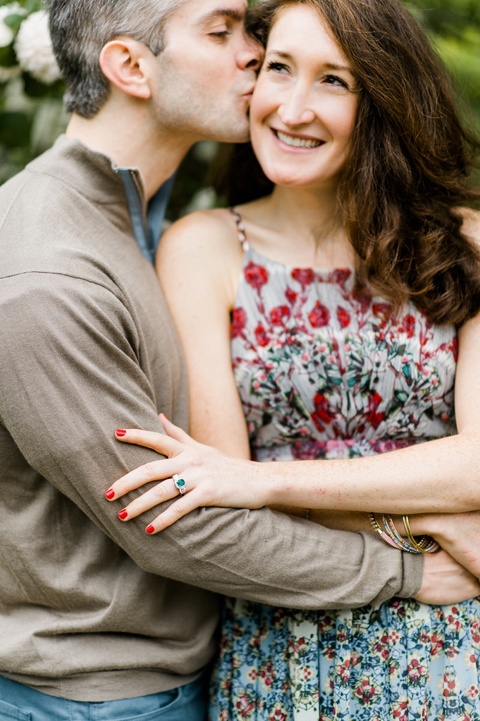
<point x="79" y="30"/>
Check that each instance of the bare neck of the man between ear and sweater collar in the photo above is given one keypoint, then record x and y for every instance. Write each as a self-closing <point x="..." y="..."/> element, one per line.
<point x="128" y="140"/>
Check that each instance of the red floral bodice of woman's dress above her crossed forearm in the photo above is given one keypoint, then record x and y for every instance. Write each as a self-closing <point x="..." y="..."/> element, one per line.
<point x="325" y="372"/>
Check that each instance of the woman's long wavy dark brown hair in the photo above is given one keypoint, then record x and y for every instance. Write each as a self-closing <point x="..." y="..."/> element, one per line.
<point x="409" y="164"/>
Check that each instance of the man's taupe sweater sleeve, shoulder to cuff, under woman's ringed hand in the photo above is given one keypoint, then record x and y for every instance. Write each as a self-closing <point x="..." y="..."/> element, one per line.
<point x="72" y="373"/>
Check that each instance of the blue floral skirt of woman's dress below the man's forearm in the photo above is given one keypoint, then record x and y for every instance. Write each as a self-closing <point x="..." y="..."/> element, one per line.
<point x="400" y="661"/>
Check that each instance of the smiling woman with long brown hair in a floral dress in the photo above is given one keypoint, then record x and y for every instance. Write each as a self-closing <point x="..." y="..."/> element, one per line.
<point x="334" y="322"/>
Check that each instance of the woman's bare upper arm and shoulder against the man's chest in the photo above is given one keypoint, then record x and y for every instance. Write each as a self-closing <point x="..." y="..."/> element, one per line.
<point x="199" y="264"/>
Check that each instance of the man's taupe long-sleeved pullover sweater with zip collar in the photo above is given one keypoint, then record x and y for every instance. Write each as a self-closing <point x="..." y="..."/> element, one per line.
<point x="90" y="608"/>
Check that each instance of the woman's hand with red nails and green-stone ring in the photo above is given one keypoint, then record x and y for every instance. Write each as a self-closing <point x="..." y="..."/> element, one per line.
<point x="211" y="478"/>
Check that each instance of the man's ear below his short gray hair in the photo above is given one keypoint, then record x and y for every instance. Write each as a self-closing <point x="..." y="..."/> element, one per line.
<point x="124" y="62"/>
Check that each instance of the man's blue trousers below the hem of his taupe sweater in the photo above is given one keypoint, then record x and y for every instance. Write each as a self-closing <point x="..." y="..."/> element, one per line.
<point x="22" y="703"/>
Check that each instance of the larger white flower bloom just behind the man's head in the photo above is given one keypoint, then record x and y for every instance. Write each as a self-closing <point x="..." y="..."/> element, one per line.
<point x="34" y="48"/>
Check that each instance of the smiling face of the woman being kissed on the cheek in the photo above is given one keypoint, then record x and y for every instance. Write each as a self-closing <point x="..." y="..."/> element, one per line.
<point x="305" y="101"/>
